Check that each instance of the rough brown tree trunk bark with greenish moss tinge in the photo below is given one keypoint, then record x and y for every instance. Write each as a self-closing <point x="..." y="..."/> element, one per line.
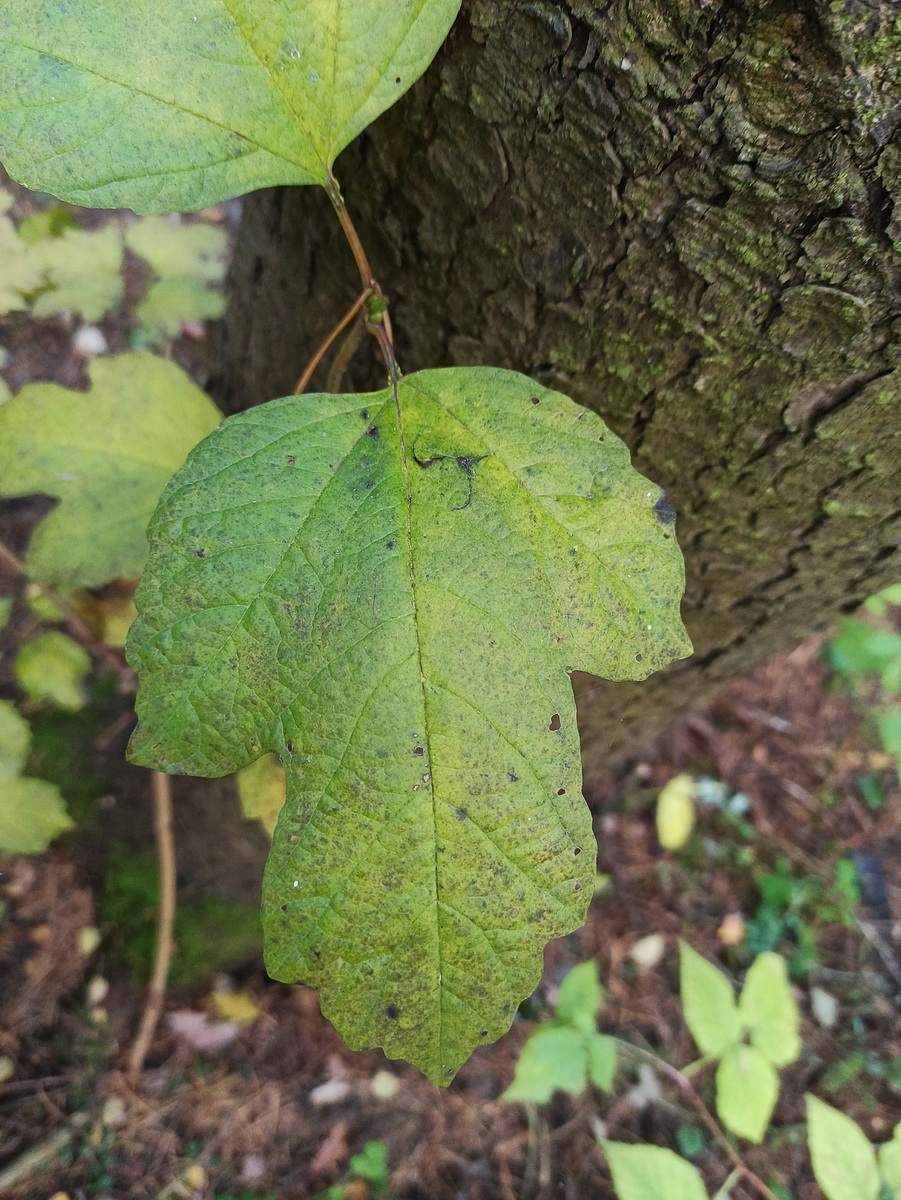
<point x="686" y="214"/>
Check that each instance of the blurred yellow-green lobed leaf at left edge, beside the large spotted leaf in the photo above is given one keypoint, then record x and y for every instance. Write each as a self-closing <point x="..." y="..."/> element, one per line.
<point x="107" y="455"/>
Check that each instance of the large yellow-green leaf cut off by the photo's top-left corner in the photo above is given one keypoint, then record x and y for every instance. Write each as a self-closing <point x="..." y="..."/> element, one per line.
<point x="160" y="106"/>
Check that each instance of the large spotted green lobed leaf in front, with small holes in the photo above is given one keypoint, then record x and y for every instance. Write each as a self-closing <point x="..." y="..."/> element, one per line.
<point x="391" y="597"/>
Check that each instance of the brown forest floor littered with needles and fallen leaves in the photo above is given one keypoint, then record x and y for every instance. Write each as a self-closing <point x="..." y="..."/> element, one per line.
<point x="248" y="1094"/>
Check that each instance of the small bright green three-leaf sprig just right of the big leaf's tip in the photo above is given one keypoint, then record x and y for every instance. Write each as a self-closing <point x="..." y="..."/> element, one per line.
<point x="567" y="1053"/>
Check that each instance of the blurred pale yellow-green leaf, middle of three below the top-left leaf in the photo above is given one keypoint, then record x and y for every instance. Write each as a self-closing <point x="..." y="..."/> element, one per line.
<point x="85" y="271"/>
